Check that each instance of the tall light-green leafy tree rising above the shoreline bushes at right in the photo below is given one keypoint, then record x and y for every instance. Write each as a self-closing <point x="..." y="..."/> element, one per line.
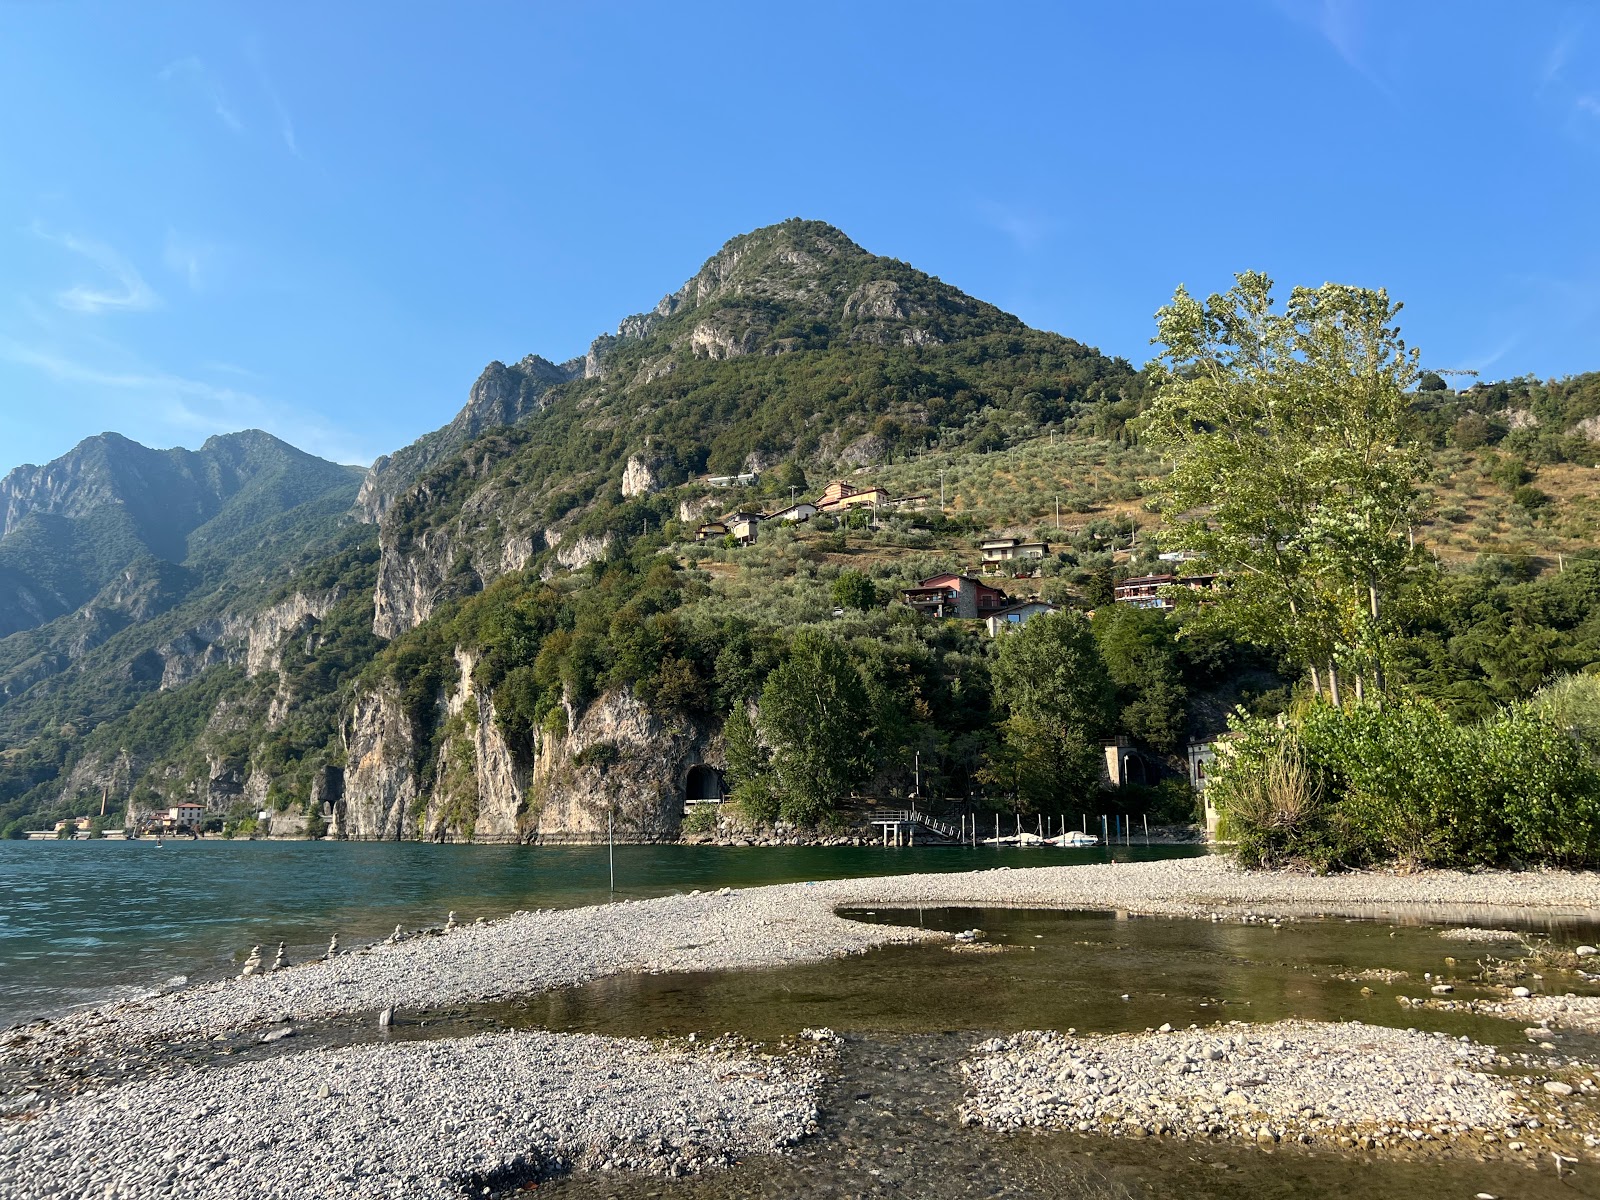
<point x="1294" y="470"/>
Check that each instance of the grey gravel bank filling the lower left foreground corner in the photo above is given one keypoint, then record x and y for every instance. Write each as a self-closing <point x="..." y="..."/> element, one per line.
<point x="479" y="1116"/>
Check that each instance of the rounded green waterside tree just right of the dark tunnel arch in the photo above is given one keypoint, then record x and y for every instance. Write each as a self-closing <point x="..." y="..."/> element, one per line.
<point x="817" y="719"/>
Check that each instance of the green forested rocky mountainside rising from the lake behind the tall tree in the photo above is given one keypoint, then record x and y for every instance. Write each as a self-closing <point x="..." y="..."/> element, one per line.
<point x="529" y="636"/>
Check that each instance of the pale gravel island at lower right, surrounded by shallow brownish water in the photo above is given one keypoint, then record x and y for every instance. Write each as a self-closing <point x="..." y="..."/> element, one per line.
<point x="1350" y="1086"/>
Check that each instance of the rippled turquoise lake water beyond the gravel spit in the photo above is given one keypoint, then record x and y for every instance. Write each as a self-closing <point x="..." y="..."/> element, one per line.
<point x="82" y="922"/>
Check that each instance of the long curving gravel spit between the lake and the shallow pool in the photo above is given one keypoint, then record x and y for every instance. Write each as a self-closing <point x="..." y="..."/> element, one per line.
<point x="774" y="927"/>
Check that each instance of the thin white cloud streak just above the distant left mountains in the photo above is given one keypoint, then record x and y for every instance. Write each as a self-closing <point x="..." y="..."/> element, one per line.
<point x="196" y="406"/>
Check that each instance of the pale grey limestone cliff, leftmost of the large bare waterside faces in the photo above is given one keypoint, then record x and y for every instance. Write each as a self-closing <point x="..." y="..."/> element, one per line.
<point x="380" y="780"/>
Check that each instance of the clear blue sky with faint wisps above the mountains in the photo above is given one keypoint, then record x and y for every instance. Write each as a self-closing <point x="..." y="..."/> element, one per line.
<point x="324" y="220"/>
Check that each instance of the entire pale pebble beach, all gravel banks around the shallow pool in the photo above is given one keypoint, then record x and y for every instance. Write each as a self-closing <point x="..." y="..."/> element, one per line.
<point x="586" y="1103"/>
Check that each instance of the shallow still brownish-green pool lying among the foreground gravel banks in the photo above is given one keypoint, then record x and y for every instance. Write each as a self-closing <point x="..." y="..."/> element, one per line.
<point x="911" y="1014"/>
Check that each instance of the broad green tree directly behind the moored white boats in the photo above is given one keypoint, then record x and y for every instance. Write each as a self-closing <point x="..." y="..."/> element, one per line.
<point x="1054" y="684"/>
